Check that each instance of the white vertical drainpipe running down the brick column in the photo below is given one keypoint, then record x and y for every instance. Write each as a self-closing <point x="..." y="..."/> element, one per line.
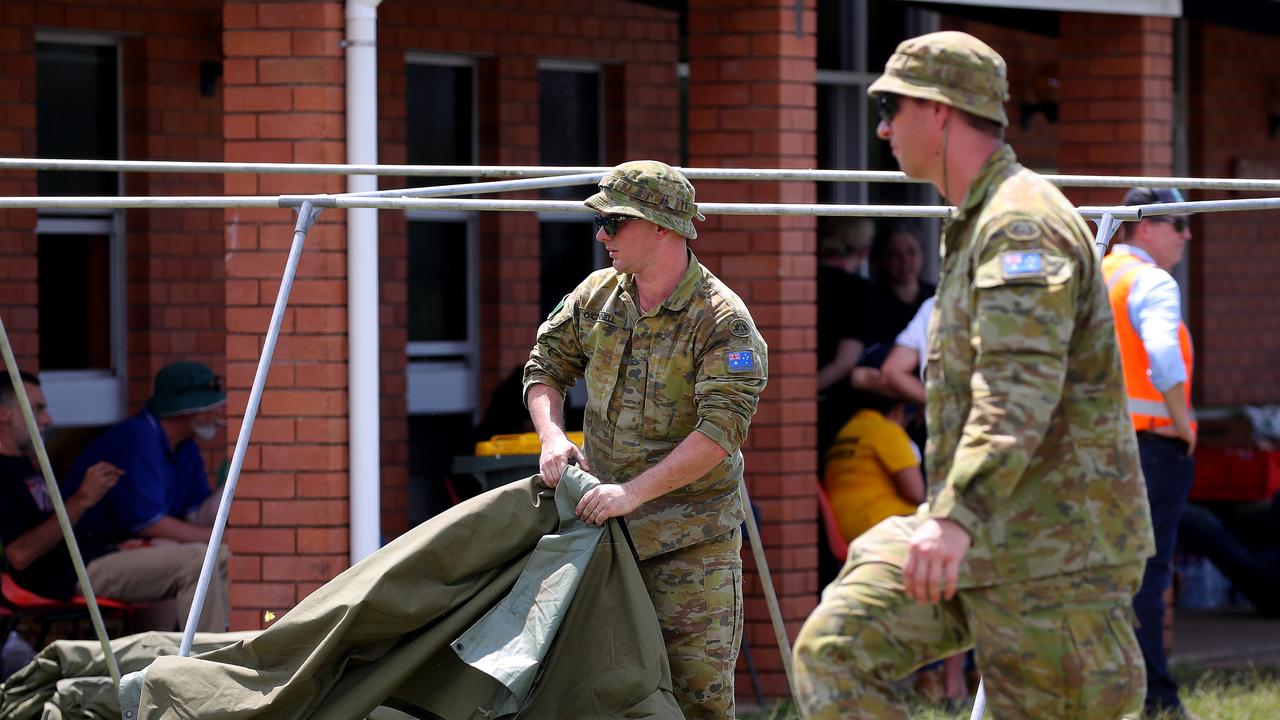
<point x="363" y="371"/>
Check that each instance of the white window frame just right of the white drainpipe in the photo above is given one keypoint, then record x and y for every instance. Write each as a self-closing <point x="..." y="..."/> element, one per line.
<point x="442" y="377"/>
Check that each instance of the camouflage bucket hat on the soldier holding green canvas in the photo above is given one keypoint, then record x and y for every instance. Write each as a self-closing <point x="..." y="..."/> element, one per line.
<point x="652" y="192"/>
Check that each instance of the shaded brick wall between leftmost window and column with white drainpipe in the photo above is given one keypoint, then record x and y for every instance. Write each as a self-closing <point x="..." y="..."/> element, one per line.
<point x="175" y="258"/>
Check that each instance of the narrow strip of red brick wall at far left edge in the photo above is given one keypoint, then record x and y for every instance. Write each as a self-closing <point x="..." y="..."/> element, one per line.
<point x="19" y="271"/>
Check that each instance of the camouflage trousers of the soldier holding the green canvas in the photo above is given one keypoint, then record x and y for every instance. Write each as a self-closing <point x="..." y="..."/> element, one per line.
<point x="698" y="595"/>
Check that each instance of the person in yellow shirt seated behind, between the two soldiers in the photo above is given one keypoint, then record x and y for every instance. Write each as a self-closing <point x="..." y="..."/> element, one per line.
<point x="874" y="471"/>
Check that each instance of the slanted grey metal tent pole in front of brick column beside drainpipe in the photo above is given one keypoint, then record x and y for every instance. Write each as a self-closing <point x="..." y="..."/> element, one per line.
<point x="307" y="218"/>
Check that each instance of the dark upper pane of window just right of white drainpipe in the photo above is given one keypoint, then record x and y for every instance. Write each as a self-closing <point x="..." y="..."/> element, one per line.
<point x="440" y="119"/>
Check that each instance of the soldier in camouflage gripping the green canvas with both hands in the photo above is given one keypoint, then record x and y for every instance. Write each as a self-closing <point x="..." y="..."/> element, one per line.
<point x="674" y="370"/>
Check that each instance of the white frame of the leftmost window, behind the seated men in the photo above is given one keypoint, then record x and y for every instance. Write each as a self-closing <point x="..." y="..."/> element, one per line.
<point x="94" y="397"/>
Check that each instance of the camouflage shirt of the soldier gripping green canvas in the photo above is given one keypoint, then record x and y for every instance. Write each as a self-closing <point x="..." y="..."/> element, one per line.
<point x="693" y="363"/>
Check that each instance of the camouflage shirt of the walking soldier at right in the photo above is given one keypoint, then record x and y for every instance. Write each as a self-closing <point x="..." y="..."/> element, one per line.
<point x="1030" y="435"/>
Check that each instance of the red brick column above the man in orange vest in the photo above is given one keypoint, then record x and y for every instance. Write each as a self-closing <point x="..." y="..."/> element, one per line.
<point x="1118" y="99"/>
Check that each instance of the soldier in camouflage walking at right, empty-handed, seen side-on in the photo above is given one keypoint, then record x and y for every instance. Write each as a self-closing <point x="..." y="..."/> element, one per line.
<point x="1034" y="537"/>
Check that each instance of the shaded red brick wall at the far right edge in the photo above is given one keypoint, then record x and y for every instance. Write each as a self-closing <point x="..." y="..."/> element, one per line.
<point x="1236" y="313"/>
